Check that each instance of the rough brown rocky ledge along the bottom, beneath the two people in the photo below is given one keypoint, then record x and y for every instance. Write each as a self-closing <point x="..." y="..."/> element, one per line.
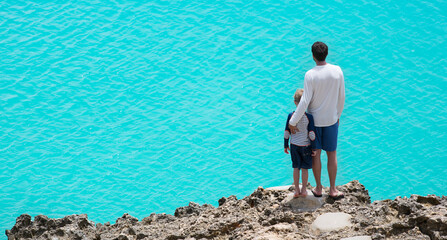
<point x="265" y="214"/>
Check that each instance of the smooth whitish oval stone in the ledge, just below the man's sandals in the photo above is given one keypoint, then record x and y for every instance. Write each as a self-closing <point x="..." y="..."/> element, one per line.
<point x="332" y="221"/>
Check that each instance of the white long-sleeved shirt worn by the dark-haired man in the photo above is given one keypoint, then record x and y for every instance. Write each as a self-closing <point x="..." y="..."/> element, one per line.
<point x="324" y="95"/>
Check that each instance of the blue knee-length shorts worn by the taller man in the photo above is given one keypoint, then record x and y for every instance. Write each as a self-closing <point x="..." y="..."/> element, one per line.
<point x="326" y="137"/>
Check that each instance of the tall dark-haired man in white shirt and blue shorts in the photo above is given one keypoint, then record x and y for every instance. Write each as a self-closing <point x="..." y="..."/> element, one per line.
<point x="324" y="97"/>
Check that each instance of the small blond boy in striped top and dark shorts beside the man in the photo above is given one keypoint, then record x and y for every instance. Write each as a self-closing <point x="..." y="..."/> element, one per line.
<point x="301" y="148"/>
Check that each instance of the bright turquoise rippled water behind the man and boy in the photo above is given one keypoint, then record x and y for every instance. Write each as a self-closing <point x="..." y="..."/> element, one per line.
<point x="120" y="106"/>
